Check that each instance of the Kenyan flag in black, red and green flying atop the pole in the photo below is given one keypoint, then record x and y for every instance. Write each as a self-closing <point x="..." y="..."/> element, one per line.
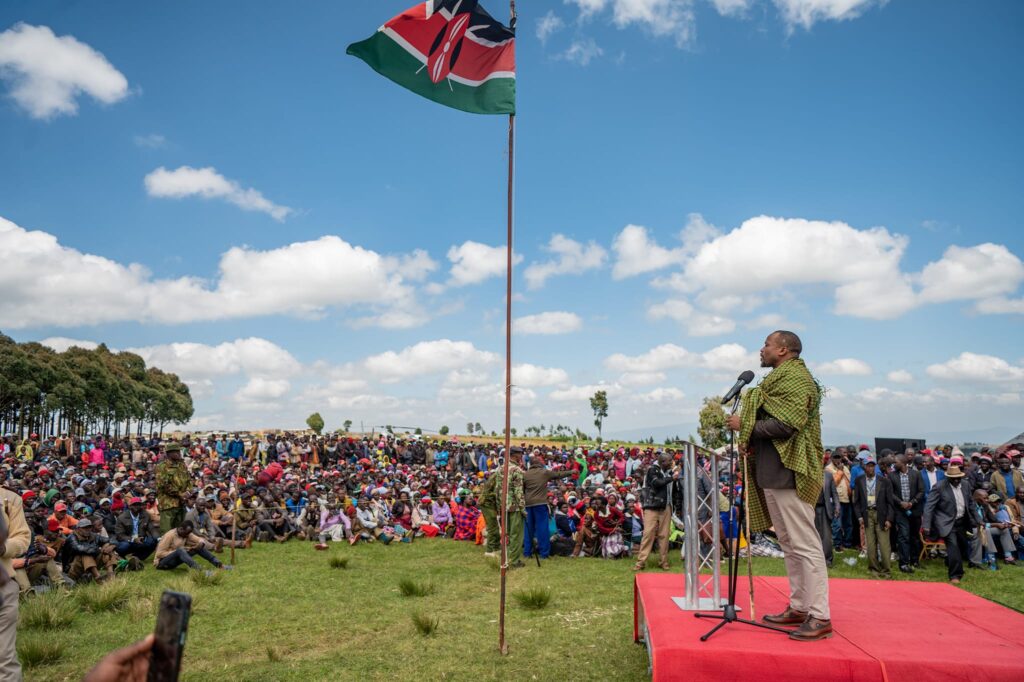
<point x="452" y="52"/>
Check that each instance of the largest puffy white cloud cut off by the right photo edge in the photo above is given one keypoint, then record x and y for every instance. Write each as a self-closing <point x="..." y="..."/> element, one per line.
<point x="987" y="271"/>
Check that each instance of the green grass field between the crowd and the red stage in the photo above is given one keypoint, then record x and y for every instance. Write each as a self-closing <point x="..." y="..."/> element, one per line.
<point x="286" y="614"/>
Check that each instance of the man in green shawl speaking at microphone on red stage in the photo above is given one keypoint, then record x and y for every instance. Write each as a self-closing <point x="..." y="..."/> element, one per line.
<point x="781" y="435"/>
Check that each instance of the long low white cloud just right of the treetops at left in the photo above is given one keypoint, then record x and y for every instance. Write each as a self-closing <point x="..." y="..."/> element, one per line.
<point x="254" y="357"/>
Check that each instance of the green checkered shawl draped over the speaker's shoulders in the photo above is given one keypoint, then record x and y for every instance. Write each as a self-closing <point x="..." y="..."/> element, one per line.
<point x="792" y="396"/>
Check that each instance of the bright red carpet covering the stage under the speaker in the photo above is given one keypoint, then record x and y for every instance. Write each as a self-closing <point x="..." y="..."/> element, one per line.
<point x="884" y="632"/>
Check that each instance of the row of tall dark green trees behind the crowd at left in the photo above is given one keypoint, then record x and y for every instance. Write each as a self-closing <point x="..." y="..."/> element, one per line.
<point x="82" y="392"/>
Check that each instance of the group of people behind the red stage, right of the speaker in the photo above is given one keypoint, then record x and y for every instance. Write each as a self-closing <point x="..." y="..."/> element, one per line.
<point x="902" y="506"/>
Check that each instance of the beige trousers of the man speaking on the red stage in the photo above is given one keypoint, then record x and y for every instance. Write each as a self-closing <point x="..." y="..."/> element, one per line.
<point x="805" y="561"/>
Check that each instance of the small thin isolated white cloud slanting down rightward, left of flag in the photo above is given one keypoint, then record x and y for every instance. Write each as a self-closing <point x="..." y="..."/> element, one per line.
<point x="208" y="184"/>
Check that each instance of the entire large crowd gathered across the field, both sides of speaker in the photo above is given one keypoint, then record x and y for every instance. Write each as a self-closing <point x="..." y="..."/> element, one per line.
<point x="99" y="506"/>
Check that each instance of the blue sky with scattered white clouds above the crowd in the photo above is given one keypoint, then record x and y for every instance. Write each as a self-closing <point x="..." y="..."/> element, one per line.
<point x="220" y="188"/>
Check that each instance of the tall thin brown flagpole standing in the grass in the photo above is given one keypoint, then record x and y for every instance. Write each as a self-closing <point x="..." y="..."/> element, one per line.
<point x="502" y="645"/>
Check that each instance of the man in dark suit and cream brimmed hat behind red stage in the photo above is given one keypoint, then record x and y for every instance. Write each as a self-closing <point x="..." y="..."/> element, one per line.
<point x="948" y="516"/>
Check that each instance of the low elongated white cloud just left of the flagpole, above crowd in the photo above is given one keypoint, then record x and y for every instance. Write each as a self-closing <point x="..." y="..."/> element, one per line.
<point x="428" y="358"/>
